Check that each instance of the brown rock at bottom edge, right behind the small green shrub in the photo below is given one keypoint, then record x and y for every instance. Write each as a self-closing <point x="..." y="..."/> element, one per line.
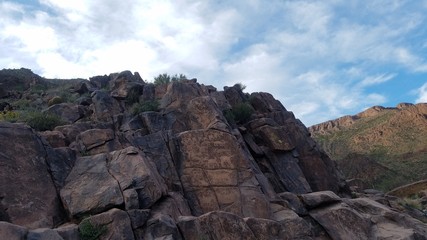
<point x="116" y="222"/>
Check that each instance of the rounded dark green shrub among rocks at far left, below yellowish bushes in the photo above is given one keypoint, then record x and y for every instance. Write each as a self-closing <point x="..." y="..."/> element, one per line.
<point x="42" y="121"/>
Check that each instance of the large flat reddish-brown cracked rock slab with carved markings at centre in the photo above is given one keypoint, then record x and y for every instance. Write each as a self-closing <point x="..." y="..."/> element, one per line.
<point x="235" y="189"/>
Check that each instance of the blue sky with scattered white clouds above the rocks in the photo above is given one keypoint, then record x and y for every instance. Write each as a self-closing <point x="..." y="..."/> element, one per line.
<point x="321" y="59"/>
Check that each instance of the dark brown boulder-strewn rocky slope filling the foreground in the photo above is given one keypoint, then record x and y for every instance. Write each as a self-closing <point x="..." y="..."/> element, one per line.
<point x="197" y="167"/>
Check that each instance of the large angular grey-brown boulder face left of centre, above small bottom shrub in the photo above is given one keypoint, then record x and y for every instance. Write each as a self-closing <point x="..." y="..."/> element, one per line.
<point x="90" y="177"/>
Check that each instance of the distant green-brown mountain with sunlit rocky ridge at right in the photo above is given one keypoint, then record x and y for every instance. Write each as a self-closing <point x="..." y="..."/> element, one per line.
<point x="383" y="147"/>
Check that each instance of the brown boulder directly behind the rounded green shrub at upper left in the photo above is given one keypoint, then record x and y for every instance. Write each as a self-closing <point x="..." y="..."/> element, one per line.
<point x="67" y="111"/>
